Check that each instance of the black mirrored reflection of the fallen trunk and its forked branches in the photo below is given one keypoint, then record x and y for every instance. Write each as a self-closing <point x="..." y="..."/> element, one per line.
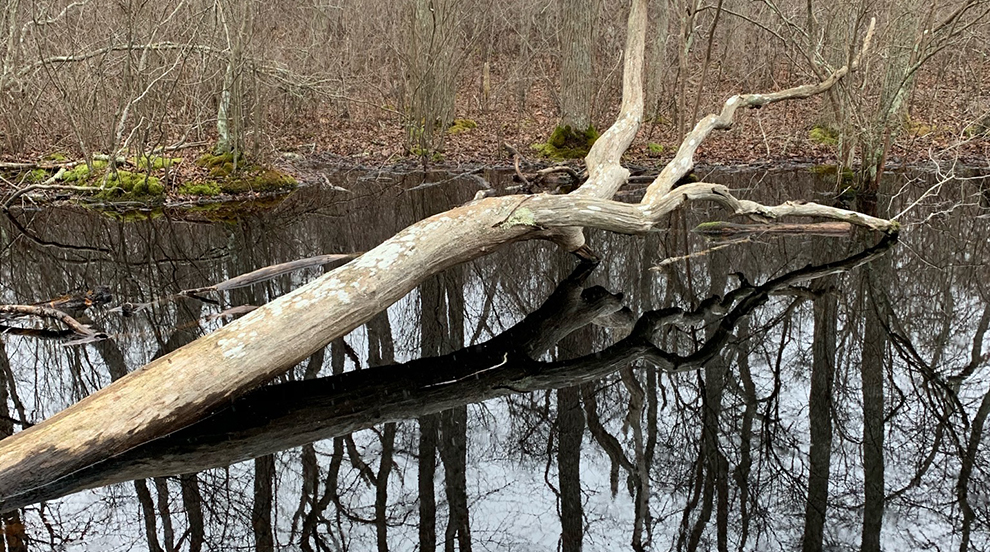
<point x="283" y="416"/>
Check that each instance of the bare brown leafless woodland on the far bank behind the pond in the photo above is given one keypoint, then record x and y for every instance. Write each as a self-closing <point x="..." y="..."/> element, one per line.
<point x="381" y="81"/>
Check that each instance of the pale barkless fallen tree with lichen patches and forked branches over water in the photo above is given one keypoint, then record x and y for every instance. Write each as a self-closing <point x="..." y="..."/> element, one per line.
<point x="175" y="390"/>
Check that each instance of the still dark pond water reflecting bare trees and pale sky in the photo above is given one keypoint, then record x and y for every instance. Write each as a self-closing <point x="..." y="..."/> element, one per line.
<point x="522" y="402"/>
